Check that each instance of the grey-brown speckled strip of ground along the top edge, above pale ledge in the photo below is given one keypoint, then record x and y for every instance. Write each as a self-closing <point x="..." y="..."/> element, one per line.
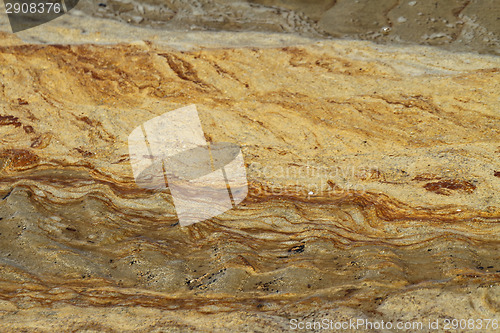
<point x="462" y="25"/>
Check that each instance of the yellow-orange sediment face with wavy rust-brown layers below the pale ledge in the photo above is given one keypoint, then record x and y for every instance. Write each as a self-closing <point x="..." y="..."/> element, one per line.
<point x="373" y="181"/>
